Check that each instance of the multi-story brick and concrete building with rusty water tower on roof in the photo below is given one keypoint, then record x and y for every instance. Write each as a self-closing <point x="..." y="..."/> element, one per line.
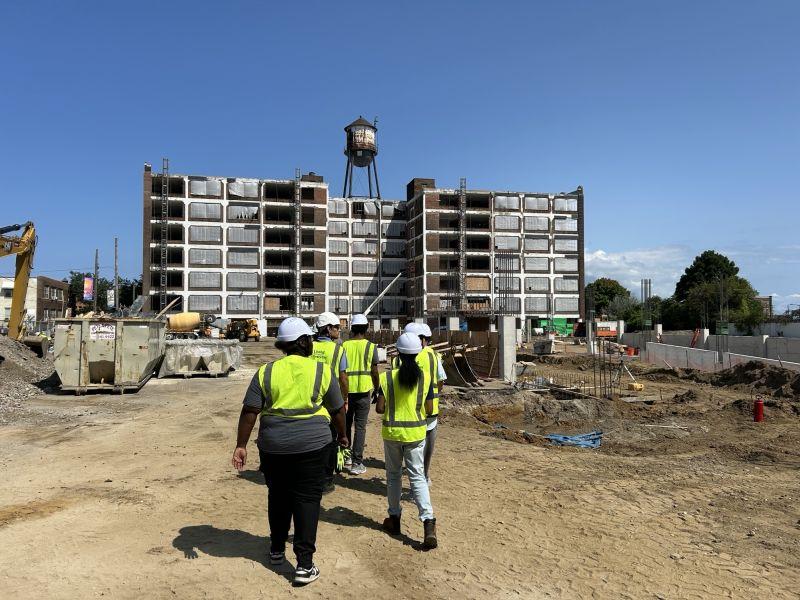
<point x="235" y="247"/>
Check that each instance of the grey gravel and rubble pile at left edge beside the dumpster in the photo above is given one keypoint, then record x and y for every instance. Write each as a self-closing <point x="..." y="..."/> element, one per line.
<point x="22" y="375"/>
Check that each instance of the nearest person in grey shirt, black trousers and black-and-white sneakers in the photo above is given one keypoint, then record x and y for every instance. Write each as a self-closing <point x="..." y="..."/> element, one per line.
<point x="297" y="399"/>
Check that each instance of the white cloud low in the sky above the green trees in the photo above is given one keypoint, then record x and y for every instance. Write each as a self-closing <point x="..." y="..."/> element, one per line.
<point x="662" y="264"/>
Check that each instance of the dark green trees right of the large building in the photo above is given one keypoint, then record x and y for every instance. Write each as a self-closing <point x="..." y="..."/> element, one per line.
<point x="710" y="292"/>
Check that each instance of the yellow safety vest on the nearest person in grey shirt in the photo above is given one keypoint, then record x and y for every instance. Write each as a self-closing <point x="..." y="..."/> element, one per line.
<point x="294" y="387"/>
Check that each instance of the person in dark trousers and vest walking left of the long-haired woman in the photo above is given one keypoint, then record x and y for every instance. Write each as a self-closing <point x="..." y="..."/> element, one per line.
<point x="362" y="379"/>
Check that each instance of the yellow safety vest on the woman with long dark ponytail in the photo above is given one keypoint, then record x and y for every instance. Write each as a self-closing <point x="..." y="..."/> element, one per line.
<point x="404" y="416"/>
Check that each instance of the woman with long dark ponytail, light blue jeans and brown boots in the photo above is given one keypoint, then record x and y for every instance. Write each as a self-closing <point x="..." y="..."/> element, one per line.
<point x="405" y="399"/>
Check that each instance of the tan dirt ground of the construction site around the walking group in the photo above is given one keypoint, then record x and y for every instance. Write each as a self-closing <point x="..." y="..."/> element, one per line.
<point x="133" y="497"/>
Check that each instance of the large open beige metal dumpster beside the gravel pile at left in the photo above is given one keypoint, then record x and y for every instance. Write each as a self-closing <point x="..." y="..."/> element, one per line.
<point x="107" y="353"/>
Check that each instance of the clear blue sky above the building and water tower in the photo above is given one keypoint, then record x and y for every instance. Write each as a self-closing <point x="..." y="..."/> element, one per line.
<point x="680" y="119"/>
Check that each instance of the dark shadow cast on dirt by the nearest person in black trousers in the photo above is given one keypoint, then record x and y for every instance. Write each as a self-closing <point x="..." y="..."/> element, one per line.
<point x="228" y="543"/>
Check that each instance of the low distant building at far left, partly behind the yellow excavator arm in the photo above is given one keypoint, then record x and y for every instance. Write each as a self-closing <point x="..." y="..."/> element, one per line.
<point x="45" y="300"/>
